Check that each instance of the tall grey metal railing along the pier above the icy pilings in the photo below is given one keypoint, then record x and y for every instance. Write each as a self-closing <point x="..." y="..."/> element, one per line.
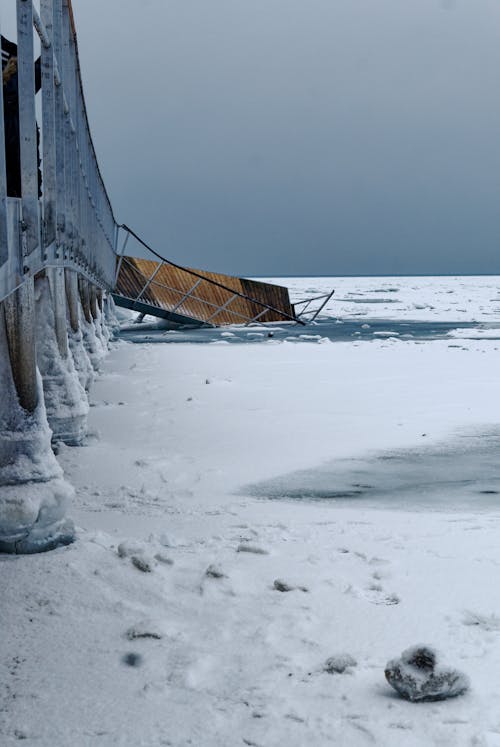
<point x="71" y="224"/>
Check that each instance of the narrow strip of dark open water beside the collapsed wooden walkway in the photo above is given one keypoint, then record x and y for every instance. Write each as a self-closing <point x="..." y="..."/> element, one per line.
<point x="335" y="330"/>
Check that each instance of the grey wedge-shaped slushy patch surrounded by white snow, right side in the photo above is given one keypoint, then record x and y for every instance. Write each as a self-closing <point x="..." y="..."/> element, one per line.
<point x="461" y="473"/>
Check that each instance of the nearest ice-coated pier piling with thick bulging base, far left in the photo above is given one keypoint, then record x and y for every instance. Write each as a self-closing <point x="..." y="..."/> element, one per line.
<point x="33" y="492"/>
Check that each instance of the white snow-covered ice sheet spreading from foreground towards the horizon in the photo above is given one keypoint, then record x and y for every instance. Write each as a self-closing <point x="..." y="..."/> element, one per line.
<point x="362" y="475"/>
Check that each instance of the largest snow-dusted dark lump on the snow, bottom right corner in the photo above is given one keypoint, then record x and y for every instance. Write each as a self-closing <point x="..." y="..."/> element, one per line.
<point x="418" y="676"/>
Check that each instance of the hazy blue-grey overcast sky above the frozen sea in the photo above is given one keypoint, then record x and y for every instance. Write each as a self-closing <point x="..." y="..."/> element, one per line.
<point x="300" y="137"/>
